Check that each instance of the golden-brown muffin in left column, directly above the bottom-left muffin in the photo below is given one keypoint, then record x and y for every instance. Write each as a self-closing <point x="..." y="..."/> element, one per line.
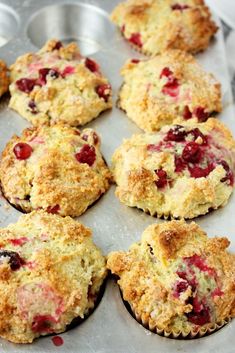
<point x="55" y="168"/>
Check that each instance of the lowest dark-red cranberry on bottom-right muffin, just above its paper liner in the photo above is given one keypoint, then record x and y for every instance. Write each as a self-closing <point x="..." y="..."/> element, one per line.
<point x="200" y="314"/>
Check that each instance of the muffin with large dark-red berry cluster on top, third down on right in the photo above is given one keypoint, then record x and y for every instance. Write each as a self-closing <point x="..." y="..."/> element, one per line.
<point x="182" y="171"/>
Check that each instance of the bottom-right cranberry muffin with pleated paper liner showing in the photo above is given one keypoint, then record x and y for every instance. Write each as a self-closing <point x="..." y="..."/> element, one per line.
<point x="178" y="282"/>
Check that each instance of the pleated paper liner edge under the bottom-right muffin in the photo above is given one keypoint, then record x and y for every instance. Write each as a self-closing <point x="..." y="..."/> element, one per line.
<point x="195" y="333"/>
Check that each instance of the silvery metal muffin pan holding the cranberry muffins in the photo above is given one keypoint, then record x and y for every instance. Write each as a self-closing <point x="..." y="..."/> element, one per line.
<point x="26" y="25"/>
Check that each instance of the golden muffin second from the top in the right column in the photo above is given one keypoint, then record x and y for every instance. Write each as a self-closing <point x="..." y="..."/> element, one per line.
<point x="168" y="88"/>
